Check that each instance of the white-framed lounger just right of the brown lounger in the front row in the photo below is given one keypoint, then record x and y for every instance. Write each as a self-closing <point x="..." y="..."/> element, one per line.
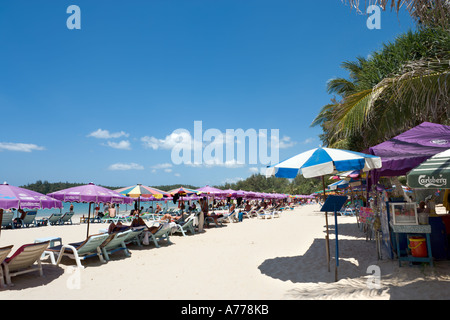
<point x="80" y="250"/>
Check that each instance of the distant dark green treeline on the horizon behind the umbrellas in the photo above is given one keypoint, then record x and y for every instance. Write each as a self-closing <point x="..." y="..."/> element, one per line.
<point x="256" y="182"/>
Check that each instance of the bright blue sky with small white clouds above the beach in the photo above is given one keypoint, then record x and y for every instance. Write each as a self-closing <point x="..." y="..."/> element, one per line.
<point x="100" y="104"/>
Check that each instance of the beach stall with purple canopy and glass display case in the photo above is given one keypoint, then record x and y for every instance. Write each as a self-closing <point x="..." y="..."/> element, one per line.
<point x="399" y="216"/>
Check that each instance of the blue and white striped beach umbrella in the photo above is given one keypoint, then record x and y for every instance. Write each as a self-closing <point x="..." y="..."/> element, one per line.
<point x="321" y="161"/>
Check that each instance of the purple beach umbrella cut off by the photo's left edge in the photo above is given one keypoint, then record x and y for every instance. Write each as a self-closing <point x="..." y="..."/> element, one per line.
<point x="15" y="197"/>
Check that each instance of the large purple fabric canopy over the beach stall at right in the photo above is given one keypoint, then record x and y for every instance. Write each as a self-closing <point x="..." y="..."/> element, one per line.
<point x="407" y="150"/>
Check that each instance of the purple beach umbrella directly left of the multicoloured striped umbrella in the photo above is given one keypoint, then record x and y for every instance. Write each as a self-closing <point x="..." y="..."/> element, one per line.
<point x="90" y="193"/>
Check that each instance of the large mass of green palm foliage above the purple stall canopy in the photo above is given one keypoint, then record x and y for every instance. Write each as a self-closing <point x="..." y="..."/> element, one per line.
<point x="404" y="84"/>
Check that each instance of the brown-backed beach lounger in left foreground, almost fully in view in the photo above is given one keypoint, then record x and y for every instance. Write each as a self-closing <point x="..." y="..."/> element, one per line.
<point x="22" y="261"/>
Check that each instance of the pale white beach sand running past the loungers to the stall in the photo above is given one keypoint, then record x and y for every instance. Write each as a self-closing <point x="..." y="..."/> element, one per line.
<point x="282" y="258"/>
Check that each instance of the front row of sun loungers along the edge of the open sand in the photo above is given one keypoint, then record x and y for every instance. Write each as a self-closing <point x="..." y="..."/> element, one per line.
<point x="28" y="257"/>
